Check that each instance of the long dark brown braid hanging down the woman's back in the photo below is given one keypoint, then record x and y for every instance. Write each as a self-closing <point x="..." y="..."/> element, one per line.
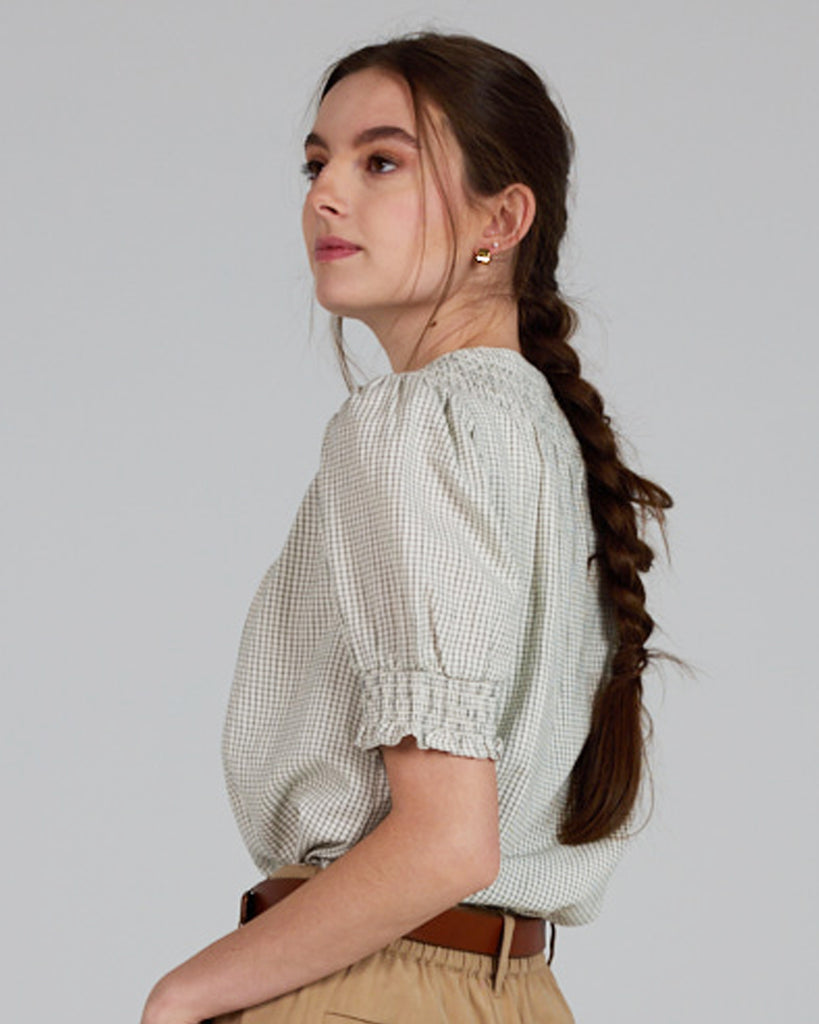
<point x="607" y="778"/>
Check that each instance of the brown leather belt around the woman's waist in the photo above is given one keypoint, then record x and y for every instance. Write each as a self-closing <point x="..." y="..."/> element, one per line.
<point x="478" y="930"/>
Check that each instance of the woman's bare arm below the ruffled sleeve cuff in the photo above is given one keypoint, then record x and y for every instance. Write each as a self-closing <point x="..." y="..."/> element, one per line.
<point x="439" y="844"/>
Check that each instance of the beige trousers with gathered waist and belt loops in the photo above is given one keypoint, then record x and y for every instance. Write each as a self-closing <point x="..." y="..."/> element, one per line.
<point x="412" y="983"/>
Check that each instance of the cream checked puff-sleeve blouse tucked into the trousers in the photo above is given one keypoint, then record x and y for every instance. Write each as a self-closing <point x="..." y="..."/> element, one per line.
<point x="435" y="583"/>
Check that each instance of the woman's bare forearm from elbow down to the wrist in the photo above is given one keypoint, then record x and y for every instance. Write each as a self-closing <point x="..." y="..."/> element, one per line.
<point x="392" y="882"/>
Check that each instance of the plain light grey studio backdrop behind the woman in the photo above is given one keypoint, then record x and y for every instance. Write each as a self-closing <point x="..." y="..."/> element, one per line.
<point x="165" y="391"/>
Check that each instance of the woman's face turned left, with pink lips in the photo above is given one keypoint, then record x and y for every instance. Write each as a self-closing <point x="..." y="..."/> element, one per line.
<point x="368" y="205"/>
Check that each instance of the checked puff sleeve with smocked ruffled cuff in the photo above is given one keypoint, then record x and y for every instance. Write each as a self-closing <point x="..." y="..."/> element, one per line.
<point x="420" y="568"/>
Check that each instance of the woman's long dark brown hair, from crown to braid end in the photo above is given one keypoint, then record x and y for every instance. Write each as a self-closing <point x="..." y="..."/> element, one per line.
<point x="510" y="131"/>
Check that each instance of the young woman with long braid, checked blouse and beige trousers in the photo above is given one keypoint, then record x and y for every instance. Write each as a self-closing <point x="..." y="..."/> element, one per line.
<point x="434" y="743"/>
